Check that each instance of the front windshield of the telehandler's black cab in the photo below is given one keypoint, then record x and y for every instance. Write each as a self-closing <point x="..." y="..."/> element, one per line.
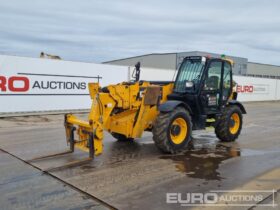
<point x="190" y="70"/>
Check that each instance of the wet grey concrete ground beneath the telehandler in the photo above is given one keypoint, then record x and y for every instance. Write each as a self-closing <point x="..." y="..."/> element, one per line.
<point x="135" y="175"/>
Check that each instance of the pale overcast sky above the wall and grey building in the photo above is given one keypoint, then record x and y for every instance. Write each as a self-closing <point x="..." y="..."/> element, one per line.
<point x="96" y="31"/>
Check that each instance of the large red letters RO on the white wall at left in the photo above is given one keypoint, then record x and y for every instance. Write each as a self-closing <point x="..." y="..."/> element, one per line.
<point x="14" y="84"/>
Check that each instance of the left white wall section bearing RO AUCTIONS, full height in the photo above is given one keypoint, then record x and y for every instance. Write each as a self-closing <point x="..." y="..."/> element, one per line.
<point x="34" y="84"/>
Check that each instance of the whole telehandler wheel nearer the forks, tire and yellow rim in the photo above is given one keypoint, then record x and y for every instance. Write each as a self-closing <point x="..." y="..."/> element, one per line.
<point x="172" y="130"/>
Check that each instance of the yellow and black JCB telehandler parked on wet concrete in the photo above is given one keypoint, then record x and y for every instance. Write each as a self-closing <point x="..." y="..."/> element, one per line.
<point x="170" y="110"/>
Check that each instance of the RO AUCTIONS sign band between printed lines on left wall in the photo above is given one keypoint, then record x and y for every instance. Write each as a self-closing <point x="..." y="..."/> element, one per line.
<point x="24" y="83"/>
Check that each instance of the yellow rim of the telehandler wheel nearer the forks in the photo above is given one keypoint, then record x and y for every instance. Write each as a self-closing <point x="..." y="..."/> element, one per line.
<point x="178" y="131"/>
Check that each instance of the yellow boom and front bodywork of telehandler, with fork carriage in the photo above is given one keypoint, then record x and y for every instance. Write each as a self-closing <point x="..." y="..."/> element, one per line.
<point x="127" y="109"/>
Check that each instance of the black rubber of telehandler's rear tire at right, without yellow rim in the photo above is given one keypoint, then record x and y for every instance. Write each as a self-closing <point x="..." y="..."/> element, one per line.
<point x="225" y="123"/>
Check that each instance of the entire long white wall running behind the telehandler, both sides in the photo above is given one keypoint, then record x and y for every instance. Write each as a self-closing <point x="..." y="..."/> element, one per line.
<point x="55" y="72"/>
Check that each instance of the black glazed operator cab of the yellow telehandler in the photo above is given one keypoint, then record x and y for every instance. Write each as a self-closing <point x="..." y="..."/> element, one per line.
<point x="204" y="84"/>
